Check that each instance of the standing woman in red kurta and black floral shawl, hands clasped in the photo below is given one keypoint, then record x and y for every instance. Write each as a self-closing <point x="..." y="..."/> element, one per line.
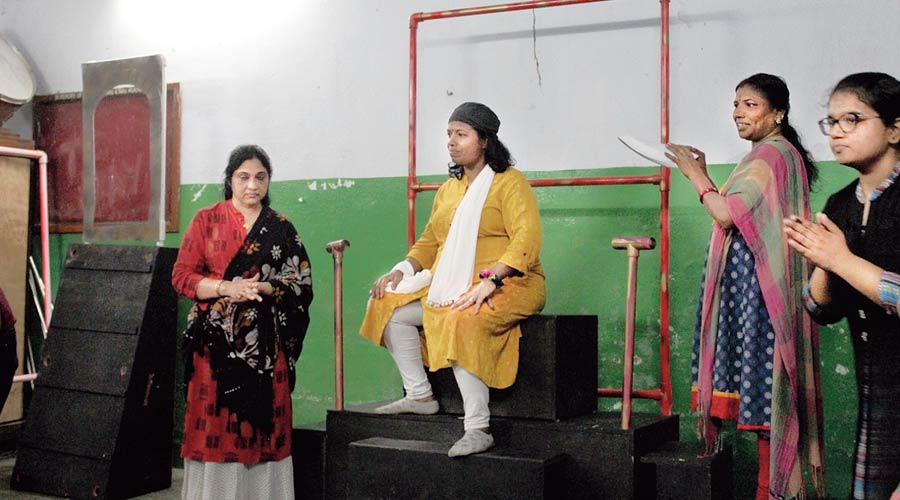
<point x="246" y="269"/>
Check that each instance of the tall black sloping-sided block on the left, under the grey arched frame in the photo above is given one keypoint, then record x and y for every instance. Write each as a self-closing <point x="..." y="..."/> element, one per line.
<point x="100" y="423"/>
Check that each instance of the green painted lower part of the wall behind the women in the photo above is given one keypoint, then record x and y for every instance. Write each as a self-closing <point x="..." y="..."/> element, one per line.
<point x="584" y="276"/>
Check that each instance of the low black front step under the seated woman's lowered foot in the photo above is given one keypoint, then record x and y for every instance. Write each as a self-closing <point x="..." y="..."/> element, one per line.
<point x="382" y="468"/>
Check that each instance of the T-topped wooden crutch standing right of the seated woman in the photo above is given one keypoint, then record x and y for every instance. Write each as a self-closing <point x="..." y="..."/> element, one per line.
<point x="634" y="245"/>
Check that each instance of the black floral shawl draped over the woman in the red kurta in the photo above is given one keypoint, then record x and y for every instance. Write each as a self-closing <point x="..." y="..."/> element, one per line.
<point x="242" y="340"/>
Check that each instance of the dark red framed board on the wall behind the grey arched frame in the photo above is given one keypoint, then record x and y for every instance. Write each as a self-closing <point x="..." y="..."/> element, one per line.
<point x="122" y="142"/>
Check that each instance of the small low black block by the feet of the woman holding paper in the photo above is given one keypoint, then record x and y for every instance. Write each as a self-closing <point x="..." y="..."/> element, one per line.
<point x="682" y="475"/>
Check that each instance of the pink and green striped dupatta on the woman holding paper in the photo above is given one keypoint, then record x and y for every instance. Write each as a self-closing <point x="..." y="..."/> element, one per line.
<point x="767" y="185"/>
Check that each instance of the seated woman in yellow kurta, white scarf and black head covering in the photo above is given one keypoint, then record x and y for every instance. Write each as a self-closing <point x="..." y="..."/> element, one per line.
<point x="469" y="280"/>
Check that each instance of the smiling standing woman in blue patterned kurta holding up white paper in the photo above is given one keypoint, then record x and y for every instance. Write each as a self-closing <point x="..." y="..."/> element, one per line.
<point x="755" y="351"/>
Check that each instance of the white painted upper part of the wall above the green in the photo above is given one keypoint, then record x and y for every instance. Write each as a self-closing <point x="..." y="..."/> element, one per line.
<point x="322" y="84"/>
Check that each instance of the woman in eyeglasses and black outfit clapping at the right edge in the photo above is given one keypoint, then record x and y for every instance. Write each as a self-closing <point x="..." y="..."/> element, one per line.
<point x="855" y="246"/>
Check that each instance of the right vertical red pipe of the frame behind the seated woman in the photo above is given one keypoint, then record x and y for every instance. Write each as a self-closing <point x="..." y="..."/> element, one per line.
<point x="665" y="378"/>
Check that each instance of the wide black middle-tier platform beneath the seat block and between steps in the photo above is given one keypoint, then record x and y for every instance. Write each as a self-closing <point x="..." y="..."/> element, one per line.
<point x="604" y="461"/>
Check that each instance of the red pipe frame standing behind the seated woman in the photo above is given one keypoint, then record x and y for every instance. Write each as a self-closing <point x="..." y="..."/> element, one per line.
<point x="663" y="394"/>
